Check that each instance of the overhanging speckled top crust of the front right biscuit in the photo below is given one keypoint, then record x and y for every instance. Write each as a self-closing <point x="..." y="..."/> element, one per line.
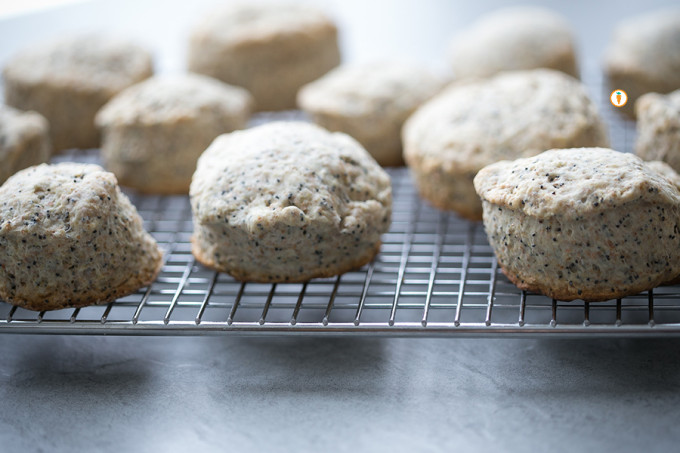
<point x="573" y="182"/>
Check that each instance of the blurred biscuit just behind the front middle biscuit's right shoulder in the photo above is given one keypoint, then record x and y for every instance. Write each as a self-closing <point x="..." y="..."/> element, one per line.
<point x="370" y="102"/>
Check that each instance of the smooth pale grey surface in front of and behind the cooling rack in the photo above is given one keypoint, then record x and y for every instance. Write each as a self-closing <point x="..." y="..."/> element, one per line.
<point x="69" y="394"/>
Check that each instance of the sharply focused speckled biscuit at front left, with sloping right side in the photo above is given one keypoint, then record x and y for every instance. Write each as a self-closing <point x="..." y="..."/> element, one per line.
<point x="70" y="238"/>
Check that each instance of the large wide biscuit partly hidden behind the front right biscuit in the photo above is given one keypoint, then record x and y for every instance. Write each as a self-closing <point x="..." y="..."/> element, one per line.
<point x="472" y="124"/>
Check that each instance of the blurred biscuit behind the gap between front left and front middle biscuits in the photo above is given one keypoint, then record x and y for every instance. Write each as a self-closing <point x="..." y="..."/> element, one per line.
<point x="154" y="132"/>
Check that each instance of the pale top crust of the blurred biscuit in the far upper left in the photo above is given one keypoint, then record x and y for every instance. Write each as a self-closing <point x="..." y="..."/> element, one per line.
<point x="86" y="62"/>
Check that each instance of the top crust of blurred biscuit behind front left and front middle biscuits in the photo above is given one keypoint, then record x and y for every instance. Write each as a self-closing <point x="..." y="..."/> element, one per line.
<point x="167" y="98"/>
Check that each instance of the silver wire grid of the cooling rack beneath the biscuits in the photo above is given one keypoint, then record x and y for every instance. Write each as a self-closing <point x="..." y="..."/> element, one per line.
<point x="434" y="276"/>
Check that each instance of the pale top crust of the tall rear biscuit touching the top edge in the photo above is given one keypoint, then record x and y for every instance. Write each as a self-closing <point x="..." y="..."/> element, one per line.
<point x="252" y="23"/>
